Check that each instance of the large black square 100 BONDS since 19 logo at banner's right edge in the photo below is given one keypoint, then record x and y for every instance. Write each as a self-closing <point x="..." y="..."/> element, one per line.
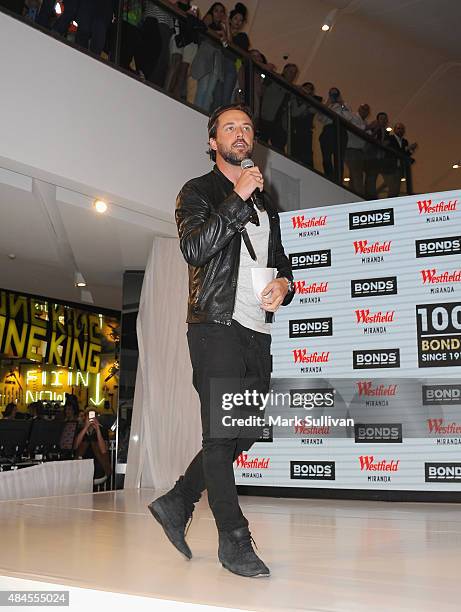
<point x="439" y="335"/>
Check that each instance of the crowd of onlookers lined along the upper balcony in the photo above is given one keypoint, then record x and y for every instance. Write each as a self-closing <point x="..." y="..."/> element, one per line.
<point x="169" y="50"/>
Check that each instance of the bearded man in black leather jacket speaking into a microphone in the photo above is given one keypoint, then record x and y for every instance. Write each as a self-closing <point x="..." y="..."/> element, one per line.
<point x="229" y="327"/>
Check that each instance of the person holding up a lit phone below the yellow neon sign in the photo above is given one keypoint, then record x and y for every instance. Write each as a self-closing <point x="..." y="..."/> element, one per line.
<point x="92" y="443"/>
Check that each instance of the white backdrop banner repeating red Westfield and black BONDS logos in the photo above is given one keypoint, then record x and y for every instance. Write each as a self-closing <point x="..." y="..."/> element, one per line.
<point x="373" y="335"/>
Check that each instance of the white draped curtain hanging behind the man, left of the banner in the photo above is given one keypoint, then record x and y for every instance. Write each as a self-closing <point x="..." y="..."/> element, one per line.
<point x="165" y="430"/>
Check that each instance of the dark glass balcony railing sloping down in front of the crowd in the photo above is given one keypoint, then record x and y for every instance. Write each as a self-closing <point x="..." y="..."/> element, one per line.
<point x="177" y="53"/>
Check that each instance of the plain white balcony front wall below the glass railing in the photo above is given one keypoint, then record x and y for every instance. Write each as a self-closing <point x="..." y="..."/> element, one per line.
<point x="71" y="120"/>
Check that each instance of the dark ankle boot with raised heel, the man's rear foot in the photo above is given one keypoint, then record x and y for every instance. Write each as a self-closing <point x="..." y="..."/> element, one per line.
<point x="170" y="511"/>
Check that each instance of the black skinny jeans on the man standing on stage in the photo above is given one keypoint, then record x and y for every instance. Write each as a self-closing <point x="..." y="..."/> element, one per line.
<point x="234" y="353"/>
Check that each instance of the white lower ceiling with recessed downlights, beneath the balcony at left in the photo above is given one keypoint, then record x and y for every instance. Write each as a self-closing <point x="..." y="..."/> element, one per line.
<point x="52" y="238"/>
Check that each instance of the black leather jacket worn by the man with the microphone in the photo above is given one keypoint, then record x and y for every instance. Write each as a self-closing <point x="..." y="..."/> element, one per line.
<point x="210" y="216"/>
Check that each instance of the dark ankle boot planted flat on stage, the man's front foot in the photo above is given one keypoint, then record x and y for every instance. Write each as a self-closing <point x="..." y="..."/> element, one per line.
<point x="237" y="555"/>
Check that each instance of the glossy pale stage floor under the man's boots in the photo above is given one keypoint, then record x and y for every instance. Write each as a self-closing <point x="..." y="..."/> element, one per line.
<point x="324" y="555"/>
